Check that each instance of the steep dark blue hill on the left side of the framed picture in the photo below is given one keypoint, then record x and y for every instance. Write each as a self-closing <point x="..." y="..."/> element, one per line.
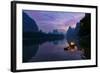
<point x="29" y="25"/>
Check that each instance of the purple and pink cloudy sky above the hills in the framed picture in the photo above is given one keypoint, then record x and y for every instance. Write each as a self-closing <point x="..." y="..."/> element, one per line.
<point x="50" y="20"/>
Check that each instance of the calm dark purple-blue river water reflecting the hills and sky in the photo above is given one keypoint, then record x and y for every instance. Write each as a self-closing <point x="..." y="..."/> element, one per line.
<point x="49" y="51"/>
